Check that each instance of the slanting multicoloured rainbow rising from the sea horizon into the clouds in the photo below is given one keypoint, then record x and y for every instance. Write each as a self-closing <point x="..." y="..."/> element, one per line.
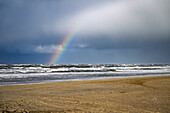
<point x="64" y="44"/>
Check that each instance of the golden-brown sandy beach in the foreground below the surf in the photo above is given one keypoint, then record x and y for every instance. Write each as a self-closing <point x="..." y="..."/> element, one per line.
<point x="140" y="94"/>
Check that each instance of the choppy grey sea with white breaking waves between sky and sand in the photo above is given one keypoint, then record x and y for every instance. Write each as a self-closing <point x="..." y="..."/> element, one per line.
<point x="38" y="73"/>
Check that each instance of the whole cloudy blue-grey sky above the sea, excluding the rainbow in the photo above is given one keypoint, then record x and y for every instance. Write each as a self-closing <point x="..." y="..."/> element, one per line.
<point x="107" y="31"/>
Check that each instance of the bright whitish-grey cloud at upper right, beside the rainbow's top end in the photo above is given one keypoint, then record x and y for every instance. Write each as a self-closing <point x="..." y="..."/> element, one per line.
<point x="130" y="18"/>
